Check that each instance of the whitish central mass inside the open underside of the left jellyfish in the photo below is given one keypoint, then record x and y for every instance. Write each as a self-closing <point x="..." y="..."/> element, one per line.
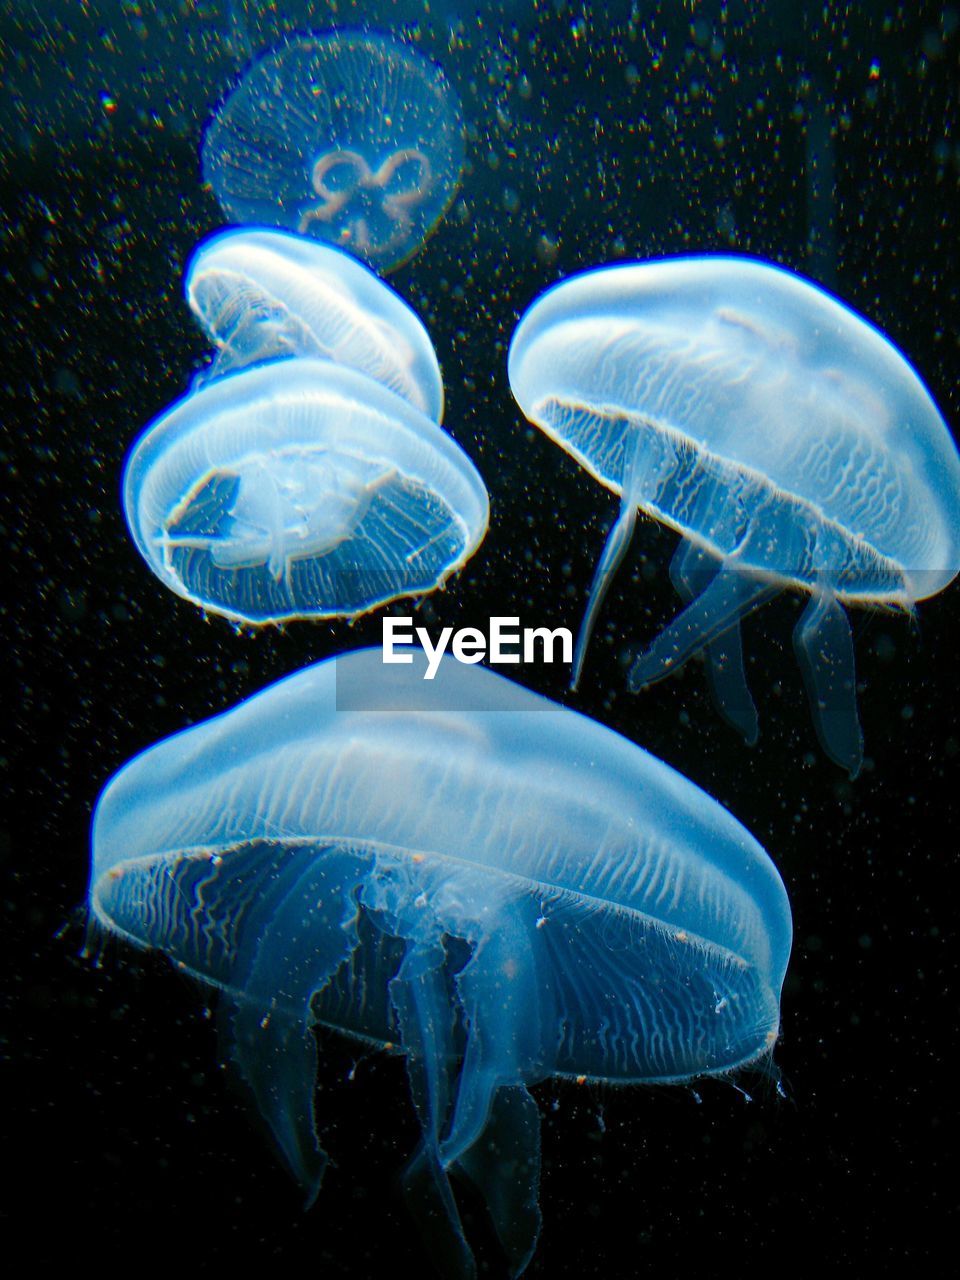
<point x="285" y="508"/>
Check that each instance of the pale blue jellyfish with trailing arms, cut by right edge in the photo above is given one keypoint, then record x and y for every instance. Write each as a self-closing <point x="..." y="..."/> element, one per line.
<point x="784" y="437"/>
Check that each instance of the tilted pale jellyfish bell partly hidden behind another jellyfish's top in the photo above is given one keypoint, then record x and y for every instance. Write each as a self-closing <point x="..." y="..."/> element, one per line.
<point x="264" y="295"/>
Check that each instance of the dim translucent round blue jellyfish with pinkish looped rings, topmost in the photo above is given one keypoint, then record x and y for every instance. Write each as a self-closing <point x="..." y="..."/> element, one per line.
<point x="350" y="138"/>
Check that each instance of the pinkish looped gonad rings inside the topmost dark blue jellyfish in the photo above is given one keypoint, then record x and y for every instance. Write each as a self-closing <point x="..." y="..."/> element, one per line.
<point x="372" y="209"/>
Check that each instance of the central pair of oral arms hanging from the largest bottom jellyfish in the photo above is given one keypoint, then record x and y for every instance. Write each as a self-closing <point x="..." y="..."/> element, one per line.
<point x="468" y="1109"/>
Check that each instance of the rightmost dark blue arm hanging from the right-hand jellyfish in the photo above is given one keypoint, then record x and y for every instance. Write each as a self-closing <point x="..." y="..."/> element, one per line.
<point x="825" y="651"/>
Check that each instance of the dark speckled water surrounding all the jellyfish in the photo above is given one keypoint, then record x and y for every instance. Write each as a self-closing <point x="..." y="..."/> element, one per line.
<point x="596" y="132"/>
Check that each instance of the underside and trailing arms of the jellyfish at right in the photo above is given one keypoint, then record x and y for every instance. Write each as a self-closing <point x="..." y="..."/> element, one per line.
<point x="720" y="591"/>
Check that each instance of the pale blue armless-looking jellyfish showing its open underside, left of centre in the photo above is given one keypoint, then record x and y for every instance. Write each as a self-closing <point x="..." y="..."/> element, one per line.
<point x="300" y="490"/>
